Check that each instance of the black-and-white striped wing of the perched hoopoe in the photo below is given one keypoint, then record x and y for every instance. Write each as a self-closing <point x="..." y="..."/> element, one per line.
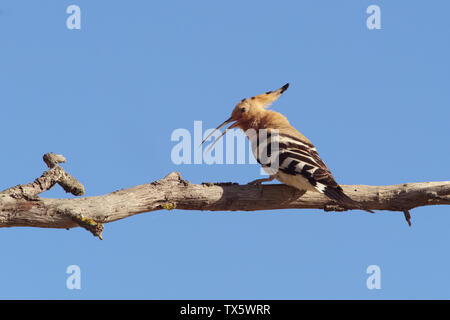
<point x="298" y="158"/>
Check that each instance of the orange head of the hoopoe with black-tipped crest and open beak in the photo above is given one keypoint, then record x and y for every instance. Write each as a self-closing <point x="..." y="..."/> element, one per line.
<point x="249" y="109"/>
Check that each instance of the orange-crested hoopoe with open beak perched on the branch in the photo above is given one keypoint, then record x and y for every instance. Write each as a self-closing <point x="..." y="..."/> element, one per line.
<point x="297" y="162"/>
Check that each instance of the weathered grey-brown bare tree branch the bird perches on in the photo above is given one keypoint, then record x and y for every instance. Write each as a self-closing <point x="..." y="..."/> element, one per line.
<point x="21" y="205"/>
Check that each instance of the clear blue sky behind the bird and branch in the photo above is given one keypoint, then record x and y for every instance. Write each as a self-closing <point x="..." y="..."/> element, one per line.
<point x="376" y="103"/>
